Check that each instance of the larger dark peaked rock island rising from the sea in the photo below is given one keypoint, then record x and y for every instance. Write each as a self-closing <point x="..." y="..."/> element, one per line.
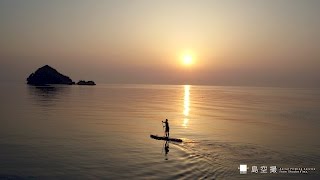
<point x="48" y="75"/>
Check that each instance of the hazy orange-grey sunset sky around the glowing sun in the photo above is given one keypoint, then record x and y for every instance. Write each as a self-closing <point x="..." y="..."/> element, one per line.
<point x="231" y="42"/>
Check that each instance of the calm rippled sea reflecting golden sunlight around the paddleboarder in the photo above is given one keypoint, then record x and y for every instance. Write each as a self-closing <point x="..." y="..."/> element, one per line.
<point x="78" y="132"/>
